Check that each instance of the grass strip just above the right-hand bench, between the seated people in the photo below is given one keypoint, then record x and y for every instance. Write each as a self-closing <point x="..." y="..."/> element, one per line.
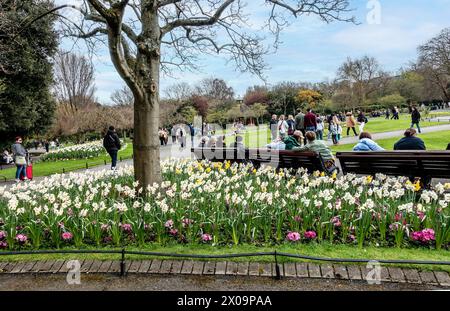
<point x="433" y="141"/>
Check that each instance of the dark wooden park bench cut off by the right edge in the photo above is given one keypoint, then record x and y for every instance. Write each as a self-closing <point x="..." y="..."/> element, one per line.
<point x="413" y="164"/>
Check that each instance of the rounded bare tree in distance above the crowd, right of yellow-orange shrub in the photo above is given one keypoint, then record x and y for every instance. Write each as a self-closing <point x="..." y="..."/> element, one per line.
<point x="364" y="76"/>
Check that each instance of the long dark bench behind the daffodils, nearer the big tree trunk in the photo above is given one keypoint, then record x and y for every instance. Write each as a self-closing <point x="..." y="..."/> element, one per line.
<point x="280" y="159"/>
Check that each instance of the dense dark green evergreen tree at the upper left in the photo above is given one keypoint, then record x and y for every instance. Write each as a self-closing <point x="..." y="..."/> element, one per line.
<point x="26" y="49"/>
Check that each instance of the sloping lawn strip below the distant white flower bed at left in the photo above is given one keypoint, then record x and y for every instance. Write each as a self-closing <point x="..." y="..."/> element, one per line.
<point x="49" y="168"/>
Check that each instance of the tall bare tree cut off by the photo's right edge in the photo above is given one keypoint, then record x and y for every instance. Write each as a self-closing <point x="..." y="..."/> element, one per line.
<point x="434" y="62"/>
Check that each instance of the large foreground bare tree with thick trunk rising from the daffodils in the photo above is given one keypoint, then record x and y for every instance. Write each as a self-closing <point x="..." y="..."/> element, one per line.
<point x="146" y="36"/>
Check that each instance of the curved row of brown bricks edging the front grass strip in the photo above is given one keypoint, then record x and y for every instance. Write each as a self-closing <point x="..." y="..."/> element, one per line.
<point x="208" y="268"/>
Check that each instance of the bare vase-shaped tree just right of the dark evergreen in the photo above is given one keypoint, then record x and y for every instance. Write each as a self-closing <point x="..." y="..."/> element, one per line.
<point x="74" y="79"/>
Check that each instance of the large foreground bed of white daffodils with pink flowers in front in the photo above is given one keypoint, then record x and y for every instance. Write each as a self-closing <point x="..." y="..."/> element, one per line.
<point x="202" y="202"/>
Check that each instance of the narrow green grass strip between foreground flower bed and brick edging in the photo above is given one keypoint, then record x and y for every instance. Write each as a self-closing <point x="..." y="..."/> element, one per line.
<point x="324" y="250"/>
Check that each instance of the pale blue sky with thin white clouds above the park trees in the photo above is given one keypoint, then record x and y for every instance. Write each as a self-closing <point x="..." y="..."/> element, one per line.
<point x="312" y="50"/>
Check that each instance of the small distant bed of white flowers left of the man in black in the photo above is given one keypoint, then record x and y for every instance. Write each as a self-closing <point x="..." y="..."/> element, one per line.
<point x="82" y="151"/>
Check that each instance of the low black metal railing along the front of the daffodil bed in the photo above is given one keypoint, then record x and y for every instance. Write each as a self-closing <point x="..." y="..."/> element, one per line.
<point x="123" y="252"/>
